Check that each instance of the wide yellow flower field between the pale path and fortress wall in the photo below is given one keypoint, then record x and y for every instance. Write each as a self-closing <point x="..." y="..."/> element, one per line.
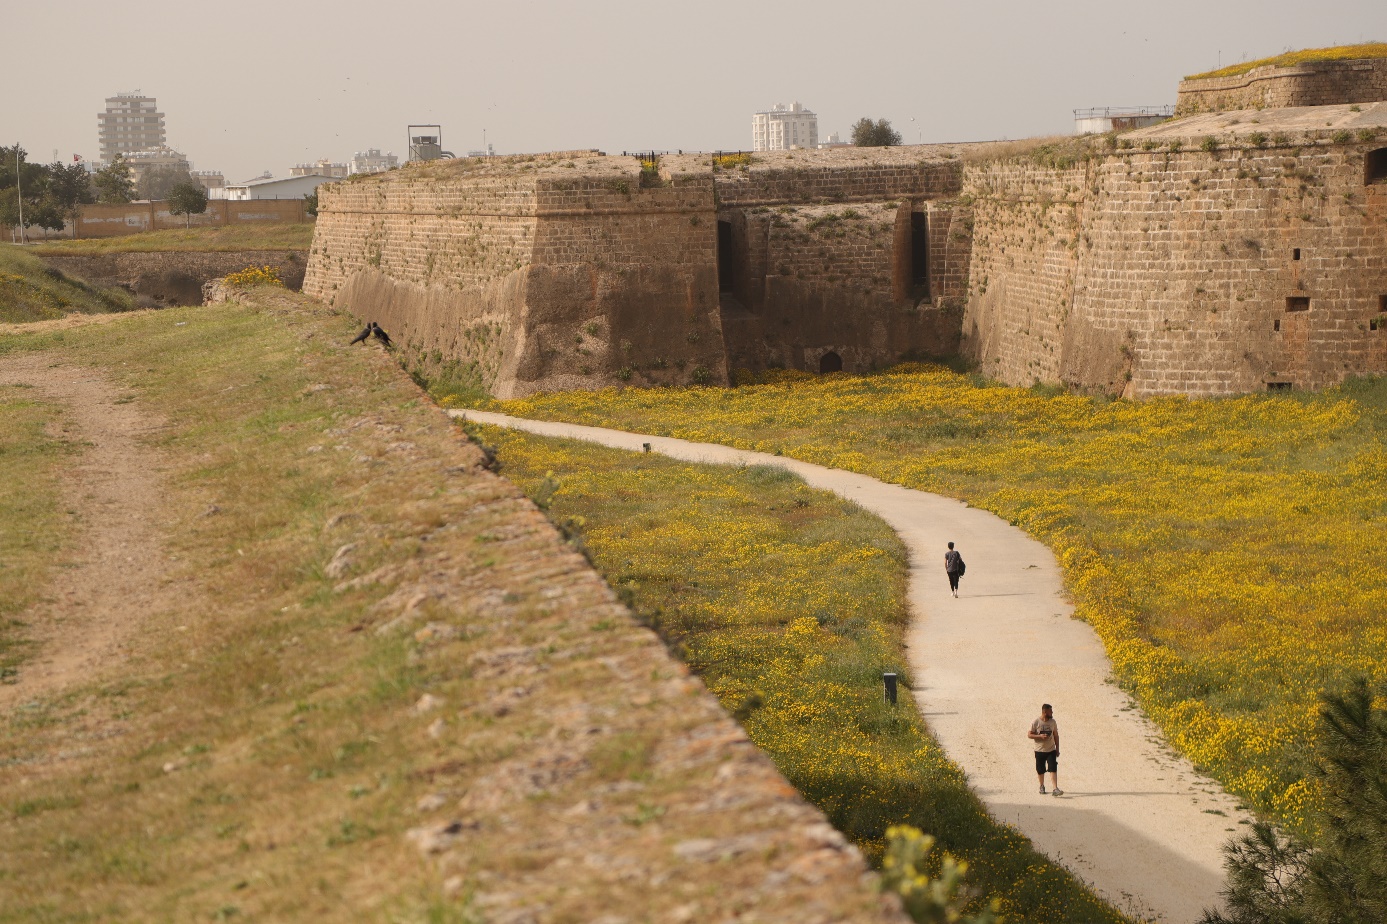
<point x="1230" y="553"/>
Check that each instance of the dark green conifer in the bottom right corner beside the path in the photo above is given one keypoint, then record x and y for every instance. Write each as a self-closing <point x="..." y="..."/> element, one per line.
<point x="1342" y="879"/>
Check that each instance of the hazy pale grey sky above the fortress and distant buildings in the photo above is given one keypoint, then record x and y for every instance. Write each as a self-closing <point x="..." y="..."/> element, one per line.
<point x="255" y="87"/>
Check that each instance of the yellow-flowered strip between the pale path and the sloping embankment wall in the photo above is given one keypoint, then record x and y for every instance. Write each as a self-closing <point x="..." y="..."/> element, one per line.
<point x="790" y="603"/>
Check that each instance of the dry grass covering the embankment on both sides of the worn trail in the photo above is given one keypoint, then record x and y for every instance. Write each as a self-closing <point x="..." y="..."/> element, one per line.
<point x="255" y="757"/>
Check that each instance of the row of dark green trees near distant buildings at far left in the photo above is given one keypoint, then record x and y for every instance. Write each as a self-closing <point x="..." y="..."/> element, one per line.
<point x="53" y="195"/>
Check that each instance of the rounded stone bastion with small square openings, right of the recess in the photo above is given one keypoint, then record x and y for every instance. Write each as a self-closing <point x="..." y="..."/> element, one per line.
<point x="1210" y="256"/>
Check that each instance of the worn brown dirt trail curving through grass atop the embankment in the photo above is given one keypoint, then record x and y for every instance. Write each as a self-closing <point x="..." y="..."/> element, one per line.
<point x="119" y="575"/>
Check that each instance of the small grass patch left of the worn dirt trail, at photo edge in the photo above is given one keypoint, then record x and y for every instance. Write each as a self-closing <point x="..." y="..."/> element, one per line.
<point x="34" y="529"/>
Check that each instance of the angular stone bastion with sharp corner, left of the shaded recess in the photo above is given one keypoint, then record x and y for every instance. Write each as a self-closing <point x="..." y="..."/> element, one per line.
<point x="568" y="271"/>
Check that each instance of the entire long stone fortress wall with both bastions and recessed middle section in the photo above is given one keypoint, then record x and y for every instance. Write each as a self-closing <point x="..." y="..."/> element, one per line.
<point x="1218" y="253"/>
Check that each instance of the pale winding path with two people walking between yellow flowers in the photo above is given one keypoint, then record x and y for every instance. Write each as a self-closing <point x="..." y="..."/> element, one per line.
<point x="1137" y="822"/>
